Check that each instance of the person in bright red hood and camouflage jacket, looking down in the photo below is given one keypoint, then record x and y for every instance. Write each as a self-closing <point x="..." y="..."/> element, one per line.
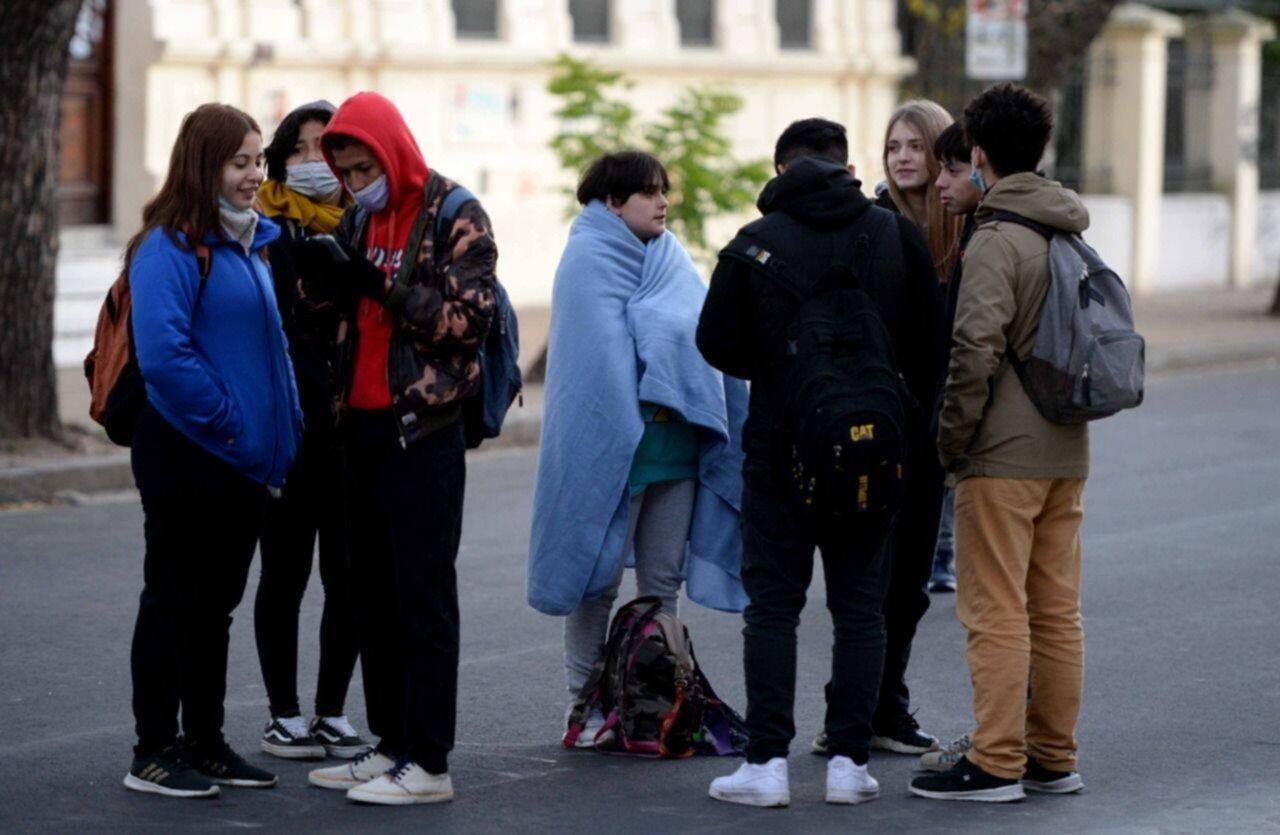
<point x="417" y="299"/>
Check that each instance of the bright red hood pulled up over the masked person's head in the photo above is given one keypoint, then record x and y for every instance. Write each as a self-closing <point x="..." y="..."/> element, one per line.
<point x="373" y="120"/>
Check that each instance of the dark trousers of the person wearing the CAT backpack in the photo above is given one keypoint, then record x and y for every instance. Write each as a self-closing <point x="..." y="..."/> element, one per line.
<point x="778" y="568"/>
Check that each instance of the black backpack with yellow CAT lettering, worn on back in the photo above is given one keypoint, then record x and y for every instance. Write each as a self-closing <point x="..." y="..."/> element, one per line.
<point x="849" y="425"/>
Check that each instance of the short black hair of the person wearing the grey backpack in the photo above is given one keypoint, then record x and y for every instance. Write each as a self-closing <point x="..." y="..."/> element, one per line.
<point x="1012" y="125"/>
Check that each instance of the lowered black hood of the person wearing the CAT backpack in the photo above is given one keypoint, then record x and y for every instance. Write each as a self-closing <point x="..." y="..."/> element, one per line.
<point x="816" y="191"/>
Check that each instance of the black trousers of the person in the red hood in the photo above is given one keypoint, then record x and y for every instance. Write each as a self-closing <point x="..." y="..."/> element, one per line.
<point x="405" y="512"/>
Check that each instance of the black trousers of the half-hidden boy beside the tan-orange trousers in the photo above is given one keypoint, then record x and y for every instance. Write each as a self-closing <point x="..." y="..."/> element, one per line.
<point x="911" y="563"/>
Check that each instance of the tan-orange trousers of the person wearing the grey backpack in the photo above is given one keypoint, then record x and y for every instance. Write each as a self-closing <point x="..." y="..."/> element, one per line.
<point x="1018" y="572"/>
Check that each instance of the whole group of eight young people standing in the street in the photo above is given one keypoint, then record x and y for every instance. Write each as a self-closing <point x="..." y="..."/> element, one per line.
<point x="307" y="381"/>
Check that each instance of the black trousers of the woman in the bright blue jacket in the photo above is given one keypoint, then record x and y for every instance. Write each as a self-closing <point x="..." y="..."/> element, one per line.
<point x="202" y="523"/>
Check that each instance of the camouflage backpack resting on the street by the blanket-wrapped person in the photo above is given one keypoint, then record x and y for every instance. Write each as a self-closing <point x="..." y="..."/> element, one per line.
<point x="656" y="700"/>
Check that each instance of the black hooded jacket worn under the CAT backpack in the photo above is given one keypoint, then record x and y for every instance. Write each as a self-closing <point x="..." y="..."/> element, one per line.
<point x="808" y="215"/>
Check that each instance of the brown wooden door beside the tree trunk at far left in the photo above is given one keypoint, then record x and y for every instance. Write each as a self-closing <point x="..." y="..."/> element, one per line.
<point x="85" y="171"/>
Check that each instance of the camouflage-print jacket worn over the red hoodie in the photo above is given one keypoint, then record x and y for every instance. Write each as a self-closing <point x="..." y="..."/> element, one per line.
<point x="442" y="312"/>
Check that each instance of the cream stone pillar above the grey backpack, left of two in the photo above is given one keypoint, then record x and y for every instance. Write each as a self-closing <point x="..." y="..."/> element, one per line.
<point x="1126" y="125"/>
